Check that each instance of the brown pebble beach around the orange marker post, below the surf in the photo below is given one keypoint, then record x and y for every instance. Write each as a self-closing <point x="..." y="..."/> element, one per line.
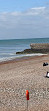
<point x="23" y="74"/>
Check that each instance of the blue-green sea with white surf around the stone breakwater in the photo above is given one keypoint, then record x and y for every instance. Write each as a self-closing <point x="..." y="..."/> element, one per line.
<point x="8" y="48"/>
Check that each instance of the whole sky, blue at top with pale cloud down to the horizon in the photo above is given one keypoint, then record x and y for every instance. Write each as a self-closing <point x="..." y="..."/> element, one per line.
<point x="21" y="19"/>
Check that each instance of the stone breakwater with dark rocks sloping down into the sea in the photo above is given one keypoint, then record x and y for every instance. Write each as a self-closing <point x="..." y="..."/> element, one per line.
<point x="36" y="48"/>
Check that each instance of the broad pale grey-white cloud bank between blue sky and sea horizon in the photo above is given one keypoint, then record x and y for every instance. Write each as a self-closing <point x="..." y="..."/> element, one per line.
<point x="33" y="22"/>
